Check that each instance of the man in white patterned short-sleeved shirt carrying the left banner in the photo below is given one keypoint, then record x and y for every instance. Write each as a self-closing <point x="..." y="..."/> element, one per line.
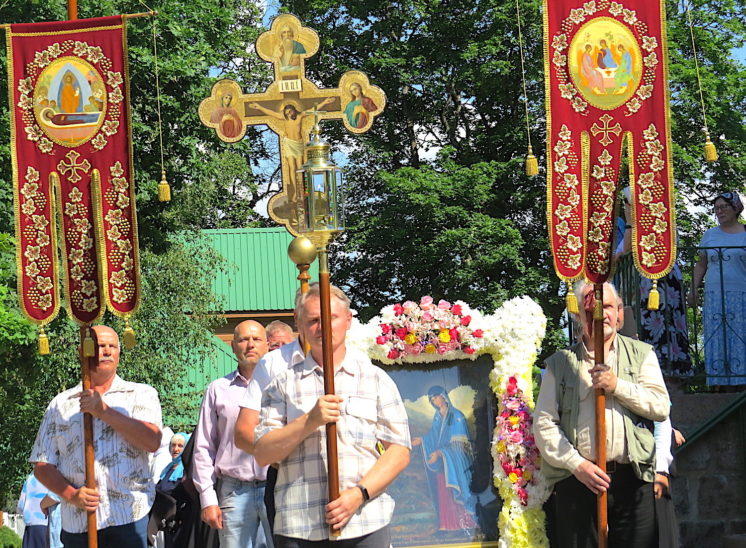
<point x="126" y="428"/>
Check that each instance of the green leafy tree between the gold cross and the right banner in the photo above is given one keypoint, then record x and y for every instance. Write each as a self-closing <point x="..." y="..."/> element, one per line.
<point x="438" y="200"/>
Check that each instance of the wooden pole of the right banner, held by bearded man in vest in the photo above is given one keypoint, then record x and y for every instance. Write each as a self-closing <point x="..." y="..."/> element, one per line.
<point x="599" y="359"/>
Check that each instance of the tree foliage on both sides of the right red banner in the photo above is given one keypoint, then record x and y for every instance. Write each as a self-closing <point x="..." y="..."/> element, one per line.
<point x="439" y="202"/>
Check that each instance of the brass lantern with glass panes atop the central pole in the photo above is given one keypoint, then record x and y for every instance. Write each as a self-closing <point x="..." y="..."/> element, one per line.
<point x="322" y="213"/>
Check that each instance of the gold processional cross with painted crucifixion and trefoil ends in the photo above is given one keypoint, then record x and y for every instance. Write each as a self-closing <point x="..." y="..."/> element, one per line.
<point x="288" y="107"/>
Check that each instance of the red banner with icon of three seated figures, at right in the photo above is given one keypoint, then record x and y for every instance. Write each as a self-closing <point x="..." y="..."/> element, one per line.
<point x="607" y="94"/>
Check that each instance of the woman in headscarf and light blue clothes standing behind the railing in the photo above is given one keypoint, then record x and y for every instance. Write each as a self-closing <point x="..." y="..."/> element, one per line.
<point x="722" y="265"/>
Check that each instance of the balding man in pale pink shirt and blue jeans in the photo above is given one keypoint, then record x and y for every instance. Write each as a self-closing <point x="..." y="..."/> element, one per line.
<point x="229" y="481"/>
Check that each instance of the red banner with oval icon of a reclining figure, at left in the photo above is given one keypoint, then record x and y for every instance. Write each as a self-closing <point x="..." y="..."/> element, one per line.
<point x="72" y="158"/>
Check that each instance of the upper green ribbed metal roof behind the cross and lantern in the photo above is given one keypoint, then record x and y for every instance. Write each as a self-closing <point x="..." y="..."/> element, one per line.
<point x="260" y="275"/>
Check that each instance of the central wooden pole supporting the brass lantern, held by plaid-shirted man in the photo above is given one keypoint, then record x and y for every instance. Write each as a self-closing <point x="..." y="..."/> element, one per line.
<point x="328" y="366"/>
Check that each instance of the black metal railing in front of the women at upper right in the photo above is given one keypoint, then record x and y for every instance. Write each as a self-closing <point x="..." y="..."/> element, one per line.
<point x="726" y="329"/>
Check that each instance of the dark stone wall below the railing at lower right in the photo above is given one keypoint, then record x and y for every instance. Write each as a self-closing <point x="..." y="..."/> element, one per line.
<point x="709" y="489"/>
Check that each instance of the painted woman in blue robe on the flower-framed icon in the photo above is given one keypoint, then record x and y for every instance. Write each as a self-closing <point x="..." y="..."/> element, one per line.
<point x="448" y="459"/>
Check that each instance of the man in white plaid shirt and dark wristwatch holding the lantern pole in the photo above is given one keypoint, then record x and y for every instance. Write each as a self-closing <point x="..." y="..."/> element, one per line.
<point x="367" y="408"/>
